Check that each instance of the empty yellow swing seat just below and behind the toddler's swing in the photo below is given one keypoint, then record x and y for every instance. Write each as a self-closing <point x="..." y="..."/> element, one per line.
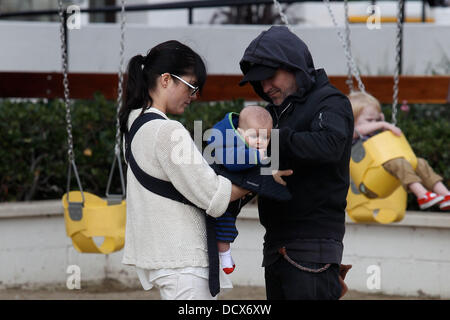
<point x="384" y="211"/>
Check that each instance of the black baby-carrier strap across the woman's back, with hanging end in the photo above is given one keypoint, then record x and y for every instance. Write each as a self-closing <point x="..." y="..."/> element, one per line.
<point x="167" y="190"/>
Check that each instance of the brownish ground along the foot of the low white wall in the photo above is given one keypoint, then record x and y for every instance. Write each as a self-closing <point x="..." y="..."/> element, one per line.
<point x="112" y="290"/>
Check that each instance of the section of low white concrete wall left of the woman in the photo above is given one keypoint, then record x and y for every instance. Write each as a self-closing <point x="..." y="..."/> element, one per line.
<point x="34" y="249"/>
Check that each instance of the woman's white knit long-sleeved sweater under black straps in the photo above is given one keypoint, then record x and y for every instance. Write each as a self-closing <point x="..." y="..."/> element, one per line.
<point x="162" y="233"/>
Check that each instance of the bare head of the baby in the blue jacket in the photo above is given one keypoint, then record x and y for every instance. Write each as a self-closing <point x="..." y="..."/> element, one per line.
<point x="255" y="125"/>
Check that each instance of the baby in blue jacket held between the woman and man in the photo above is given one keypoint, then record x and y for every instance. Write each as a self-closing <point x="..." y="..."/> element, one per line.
<point x="244" y="144"/>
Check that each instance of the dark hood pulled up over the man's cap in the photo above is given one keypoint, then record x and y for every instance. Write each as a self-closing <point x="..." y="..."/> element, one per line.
<point x="277" y="48"/>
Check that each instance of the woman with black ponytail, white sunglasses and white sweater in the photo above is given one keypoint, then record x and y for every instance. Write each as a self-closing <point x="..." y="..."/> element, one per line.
<point x="166" y="239"/>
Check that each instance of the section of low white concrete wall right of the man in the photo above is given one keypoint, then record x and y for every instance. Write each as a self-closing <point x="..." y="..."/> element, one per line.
<point x="413" y="258"/>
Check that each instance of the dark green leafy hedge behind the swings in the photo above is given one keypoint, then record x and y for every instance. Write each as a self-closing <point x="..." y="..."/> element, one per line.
<point x="33" y="147"/>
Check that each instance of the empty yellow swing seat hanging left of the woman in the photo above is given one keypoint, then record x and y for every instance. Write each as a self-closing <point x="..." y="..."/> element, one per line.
<point x="94" y="218"/>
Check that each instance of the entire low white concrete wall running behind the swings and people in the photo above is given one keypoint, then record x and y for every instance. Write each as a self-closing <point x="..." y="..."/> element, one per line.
<point x="413" y="256"/>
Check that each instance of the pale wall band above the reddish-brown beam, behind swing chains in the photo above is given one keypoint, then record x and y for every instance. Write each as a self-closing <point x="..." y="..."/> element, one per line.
<point x="95" y="48"/>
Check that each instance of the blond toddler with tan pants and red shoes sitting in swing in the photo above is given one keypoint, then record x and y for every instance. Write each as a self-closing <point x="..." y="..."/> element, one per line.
<point x="423" y="182"/>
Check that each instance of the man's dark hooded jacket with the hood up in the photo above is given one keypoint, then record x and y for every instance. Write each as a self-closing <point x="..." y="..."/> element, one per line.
<point x="315" y="136"/>
